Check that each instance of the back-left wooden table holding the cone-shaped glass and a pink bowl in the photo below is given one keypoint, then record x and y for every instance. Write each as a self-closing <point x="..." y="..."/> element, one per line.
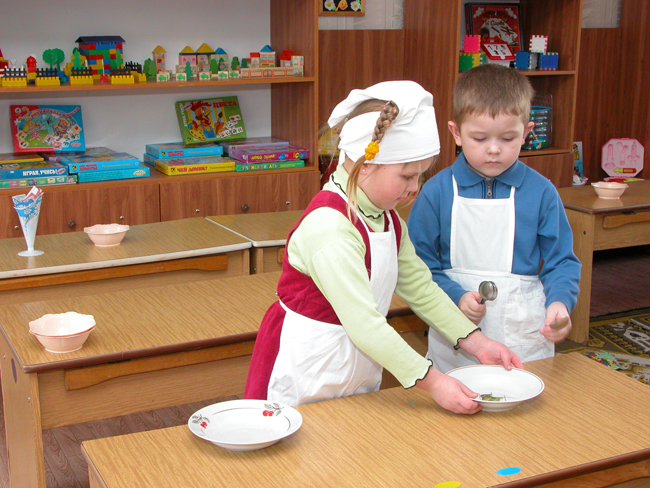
<point x="189" y="244"/>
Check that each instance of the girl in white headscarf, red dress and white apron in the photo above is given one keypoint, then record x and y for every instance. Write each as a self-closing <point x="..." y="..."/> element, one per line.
<point x="327" y="336"/>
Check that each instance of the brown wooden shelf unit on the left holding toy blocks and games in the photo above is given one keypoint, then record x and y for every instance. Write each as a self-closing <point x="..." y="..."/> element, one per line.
<point x="69" y="208"/>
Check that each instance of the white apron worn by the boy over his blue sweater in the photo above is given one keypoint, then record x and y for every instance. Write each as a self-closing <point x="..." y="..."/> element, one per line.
<point x="481" y="248"/>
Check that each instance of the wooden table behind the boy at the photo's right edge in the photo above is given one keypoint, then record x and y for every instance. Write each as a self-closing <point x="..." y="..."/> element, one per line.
<point x="600" y="224"/>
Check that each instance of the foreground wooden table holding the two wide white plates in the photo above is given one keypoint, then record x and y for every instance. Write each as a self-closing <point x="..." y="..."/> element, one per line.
<point x="574" y="431"/>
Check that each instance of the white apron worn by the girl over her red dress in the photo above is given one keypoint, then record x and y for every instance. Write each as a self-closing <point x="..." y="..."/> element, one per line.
<point x="318" y="361"/>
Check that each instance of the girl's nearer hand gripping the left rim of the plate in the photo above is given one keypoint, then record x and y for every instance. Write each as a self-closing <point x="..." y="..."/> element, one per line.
<point x="449" y="393"/>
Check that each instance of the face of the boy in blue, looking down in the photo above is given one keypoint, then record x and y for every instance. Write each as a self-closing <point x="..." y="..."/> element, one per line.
<point x="491" y="145"/>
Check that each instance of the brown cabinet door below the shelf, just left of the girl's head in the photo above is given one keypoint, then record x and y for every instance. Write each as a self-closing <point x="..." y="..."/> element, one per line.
<point x="234" y="195"/>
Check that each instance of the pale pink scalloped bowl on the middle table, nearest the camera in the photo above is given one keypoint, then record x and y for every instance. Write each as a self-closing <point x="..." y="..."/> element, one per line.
<point x="62" y="332"/>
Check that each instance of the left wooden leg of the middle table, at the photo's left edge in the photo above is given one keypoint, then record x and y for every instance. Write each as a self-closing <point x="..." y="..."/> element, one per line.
<point x="22" y="422"/>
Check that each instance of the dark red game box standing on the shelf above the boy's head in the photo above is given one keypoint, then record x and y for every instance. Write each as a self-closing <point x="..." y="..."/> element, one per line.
<point x="491" y="20"/>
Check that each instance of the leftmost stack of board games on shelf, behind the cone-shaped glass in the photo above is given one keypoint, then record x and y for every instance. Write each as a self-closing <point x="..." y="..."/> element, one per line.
<point x="27" y="170"/>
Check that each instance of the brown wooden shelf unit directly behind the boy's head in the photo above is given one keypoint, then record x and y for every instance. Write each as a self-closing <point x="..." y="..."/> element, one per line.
<point x="431" y="46"/>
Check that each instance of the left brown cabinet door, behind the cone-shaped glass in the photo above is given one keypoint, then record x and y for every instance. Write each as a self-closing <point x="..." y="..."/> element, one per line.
<point x="72" y="210"/>
